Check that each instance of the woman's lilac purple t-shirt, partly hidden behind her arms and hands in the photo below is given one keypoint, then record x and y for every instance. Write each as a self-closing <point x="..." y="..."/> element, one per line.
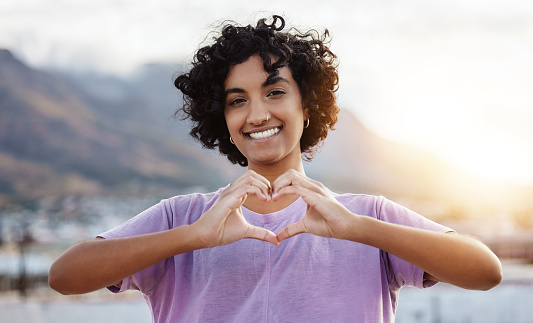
<point x="305" y="279"/>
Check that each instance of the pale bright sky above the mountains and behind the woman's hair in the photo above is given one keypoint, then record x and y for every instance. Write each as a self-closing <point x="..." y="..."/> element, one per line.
<point x="452" y="77"/>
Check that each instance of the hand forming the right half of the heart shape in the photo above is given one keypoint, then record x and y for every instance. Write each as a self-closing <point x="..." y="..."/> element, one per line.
<point x="325" y="216"/>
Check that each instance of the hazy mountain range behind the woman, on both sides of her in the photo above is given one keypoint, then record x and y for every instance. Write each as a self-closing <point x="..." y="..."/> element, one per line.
<point x="78" y="134"/>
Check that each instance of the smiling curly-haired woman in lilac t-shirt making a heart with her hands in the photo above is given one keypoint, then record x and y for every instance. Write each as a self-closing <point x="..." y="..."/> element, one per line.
<point x="264" y="97"/>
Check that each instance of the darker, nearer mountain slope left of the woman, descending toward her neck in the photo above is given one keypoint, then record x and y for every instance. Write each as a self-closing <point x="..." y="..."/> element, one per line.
<point x="57" y="138"/>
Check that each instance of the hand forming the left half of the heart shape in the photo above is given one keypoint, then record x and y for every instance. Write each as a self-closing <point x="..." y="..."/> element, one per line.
<point x="224" y="222"/>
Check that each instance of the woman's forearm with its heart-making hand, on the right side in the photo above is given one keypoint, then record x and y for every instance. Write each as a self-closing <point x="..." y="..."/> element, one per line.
<point x="448" y="257"/>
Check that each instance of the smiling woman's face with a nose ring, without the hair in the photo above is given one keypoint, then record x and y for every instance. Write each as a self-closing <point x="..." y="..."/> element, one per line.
<point x="264" y="119"/>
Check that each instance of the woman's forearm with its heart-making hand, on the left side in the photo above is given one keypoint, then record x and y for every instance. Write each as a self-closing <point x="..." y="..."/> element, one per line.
<point x="99" y="263"/>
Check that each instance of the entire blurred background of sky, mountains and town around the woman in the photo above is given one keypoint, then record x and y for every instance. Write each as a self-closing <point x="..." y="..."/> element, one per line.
<point x="436" y="111"/>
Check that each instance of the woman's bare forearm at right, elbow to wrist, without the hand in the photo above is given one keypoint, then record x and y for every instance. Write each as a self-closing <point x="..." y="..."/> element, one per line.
<point x="448" y="257"/>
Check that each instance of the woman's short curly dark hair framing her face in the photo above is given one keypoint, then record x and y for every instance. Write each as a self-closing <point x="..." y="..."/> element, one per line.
<point x="312" y="64"/>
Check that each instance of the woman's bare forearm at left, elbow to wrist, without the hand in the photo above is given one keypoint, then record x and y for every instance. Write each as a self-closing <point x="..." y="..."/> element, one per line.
<point x="98" y="263"/>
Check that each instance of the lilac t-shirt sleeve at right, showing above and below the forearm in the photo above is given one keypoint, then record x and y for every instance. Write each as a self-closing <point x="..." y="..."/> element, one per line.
<point x="399" y="271"/>
